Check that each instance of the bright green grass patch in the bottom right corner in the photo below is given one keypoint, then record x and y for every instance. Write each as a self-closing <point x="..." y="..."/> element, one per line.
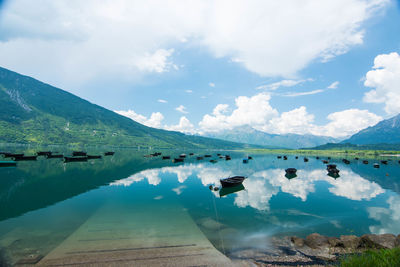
<point x="373" y="258"/>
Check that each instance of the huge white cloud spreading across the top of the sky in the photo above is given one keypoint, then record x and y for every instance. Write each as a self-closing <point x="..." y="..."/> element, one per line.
<point x="89" y="40"/>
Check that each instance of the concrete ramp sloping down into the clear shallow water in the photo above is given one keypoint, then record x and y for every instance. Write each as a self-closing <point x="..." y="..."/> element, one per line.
<point x="118" y="235"/>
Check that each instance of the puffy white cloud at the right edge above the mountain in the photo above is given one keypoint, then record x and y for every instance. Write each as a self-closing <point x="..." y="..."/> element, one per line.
<point x="385" y="78"/>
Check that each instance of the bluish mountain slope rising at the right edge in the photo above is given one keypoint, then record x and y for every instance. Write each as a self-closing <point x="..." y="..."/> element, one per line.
<point x="386" y="131"/>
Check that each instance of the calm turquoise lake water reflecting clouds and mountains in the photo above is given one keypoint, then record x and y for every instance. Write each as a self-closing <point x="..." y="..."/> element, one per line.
<point x="43" y="202"/>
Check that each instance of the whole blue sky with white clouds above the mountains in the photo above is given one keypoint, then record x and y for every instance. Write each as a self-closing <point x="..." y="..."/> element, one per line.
<point x="147" y="60"/>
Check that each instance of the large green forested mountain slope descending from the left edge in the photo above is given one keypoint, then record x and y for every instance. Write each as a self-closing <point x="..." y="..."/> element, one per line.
<point x="35" y="112"/>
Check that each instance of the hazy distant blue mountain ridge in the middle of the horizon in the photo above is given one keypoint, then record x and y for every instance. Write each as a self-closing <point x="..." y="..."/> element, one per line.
<point x="249" y="135"/>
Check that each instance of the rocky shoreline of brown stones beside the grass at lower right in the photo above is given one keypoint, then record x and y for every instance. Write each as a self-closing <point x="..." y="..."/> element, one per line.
<point x="315" y="249"/>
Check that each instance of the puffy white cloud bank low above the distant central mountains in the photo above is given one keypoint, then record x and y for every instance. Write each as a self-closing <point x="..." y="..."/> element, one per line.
<point x="257" y="112"/>
